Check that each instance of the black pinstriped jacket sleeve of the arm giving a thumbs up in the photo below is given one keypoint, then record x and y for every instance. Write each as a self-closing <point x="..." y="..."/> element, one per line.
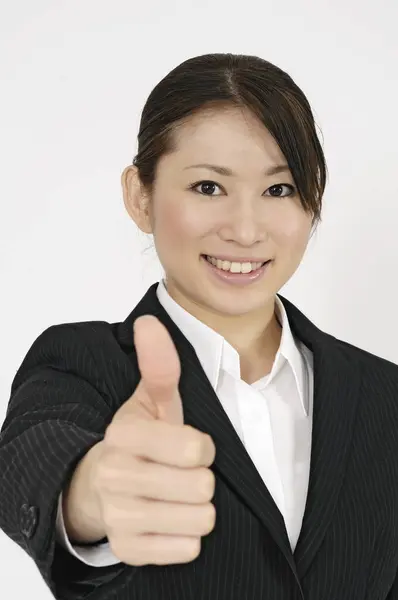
<point x="59" y="407"/>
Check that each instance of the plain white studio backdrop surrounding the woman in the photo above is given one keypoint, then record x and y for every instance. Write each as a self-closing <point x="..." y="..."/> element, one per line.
<point x="74" y="77"/>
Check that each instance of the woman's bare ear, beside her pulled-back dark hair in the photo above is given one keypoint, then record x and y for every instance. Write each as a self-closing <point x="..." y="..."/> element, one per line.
<point x="135" y="199"/>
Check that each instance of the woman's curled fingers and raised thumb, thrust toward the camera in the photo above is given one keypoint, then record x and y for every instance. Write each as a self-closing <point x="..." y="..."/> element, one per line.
<point x="152" y="476"/>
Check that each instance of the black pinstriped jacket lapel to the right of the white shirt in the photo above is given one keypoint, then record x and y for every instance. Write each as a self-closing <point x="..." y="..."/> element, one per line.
<point x="336" y="394"/>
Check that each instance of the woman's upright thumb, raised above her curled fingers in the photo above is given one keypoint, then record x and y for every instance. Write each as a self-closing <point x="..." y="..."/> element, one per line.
<point x="160" y="370"/>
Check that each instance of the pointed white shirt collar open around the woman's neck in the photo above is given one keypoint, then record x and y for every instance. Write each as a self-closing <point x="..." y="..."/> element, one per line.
<point x="215" y="353"/>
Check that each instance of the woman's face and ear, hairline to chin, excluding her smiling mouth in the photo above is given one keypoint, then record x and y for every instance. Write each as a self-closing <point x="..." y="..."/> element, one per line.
<point x="195" y="211"/>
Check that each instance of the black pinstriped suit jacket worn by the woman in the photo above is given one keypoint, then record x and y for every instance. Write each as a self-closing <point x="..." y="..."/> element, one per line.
<point x="74" y="378"/>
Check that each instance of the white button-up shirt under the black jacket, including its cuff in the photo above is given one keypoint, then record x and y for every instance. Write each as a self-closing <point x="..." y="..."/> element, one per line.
<point x="272" y="416"/>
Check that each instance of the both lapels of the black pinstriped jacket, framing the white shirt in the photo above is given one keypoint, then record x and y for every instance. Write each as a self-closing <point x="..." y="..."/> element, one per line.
<point x="335" y="396"/>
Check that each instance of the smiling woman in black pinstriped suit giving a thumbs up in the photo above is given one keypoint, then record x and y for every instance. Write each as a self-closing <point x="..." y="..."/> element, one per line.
<point x="268" y="468"/>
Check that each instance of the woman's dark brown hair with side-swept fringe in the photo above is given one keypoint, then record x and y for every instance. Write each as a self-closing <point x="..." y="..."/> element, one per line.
<point x="223" y="80"/>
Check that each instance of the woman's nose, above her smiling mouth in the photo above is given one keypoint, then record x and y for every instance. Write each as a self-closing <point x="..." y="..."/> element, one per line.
<point x="243" y="225"/>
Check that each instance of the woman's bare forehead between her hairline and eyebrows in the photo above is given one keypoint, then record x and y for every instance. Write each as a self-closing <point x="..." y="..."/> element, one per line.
<point x="226" y="134"/>
